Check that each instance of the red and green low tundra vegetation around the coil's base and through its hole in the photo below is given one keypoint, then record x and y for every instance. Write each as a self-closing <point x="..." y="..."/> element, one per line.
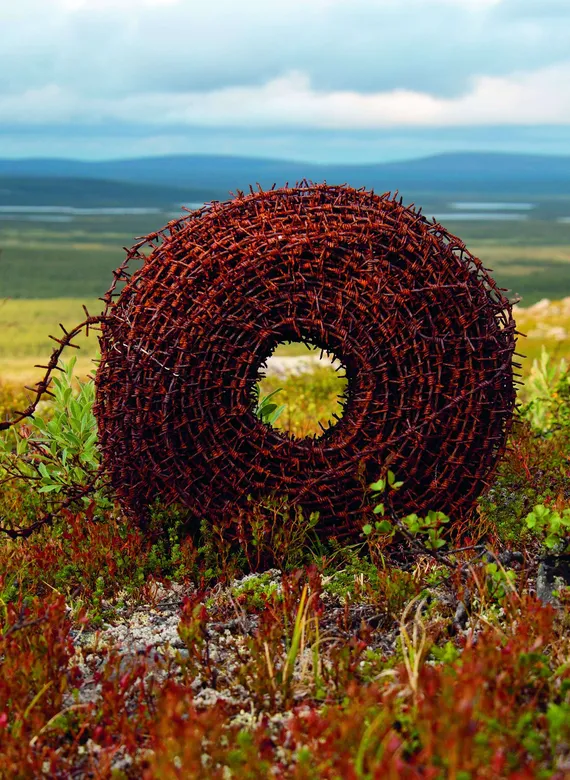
<point x="426" y="647"/>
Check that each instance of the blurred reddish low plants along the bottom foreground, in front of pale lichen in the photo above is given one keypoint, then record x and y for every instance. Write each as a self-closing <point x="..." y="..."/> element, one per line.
<point x="494" y="708"/>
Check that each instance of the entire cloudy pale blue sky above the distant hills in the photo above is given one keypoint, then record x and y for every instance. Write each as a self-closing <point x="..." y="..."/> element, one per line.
<point x="321" y="80"/>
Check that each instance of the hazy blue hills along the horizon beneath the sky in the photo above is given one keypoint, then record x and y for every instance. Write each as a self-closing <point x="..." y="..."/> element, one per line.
<point x="172" y="180"/>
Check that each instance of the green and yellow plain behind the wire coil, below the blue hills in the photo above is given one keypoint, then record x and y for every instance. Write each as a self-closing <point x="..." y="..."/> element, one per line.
<point x="48" y="270"/>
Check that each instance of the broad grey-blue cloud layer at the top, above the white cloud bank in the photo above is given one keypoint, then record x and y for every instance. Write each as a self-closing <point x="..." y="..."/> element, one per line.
<point x="120" y="48"/>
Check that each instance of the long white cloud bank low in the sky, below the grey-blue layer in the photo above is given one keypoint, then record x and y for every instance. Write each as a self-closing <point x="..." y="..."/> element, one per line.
<point x="522" y="98"/>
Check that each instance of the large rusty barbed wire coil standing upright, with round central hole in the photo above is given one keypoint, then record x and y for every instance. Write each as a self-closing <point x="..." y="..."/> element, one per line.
<point x="424" y="334"/>
